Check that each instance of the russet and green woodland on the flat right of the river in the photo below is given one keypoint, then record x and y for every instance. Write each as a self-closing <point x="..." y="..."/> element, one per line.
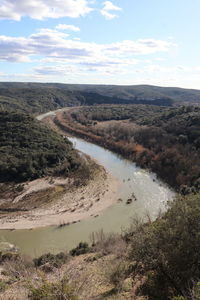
<point x="164" y="140"/>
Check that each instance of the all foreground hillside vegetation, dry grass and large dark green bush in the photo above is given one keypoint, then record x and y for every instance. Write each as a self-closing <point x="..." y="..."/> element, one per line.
<point x="157" y="260"/>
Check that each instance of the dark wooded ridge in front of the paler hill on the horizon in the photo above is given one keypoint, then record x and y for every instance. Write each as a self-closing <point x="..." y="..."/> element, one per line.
<point x="39" y="100"/>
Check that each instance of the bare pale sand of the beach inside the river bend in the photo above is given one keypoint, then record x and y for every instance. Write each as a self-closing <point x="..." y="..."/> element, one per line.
<point x="73" y="206"/>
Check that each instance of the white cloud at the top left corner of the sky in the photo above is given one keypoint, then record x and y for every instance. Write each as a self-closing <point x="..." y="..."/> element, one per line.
<point x="42" y="9"/>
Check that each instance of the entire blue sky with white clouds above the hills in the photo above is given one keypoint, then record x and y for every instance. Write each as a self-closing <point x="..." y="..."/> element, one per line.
<point x="121" y="42"/>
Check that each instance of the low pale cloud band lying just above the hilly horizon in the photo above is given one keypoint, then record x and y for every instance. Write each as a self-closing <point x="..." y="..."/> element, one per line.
<point x="109" y="74"/>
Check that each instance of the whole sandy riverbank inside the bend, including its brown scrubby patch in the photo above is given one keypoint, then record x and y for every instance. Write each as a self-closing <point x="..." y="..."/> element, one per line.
<point x="72" y="202"/>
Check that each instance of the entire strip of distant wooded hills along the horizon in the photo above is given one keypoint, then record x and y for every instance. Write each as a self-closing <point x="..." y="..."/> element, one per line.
<point x="41" y="97"/>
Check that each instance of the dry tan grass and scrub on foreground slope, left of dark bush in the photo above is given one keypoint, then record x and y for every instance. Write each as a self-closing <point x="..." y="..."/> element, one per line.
<point x="93" y="276"/>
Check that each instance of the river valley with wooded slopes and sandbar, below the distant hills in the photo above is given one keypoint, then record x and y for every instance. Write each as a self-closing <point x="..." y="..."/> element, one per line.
<point x="95" y="191"/>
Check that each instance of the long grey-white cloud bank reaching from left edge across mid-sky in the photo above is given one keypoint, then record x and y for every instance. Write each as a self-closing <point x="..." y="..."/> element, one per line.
<point x="55" y="45"/>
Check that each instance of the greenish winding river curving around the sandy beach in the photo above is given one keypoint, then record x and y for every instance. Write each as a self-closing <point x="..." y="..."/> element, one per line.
<point x="152" y="196"/>
